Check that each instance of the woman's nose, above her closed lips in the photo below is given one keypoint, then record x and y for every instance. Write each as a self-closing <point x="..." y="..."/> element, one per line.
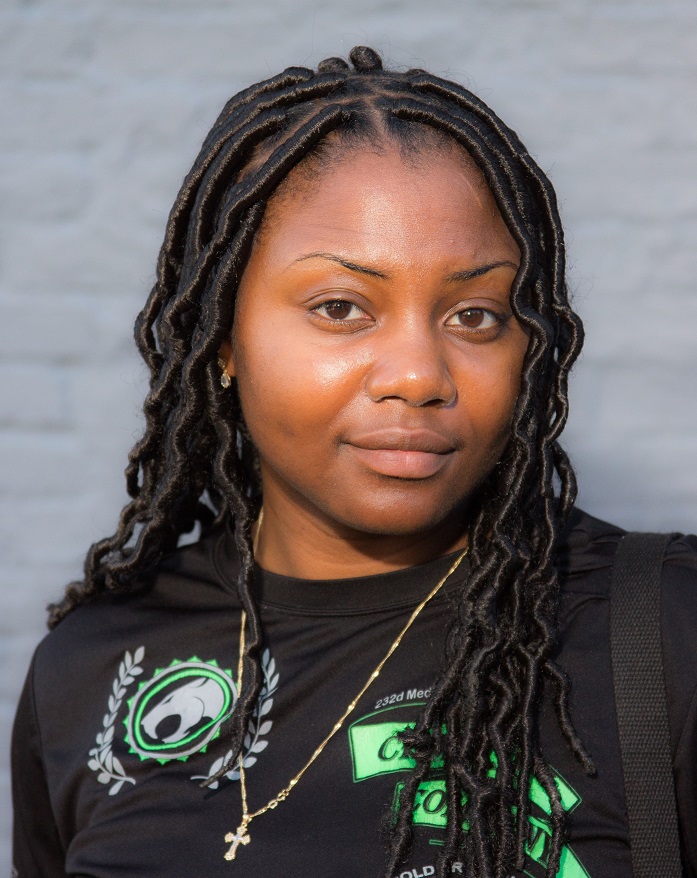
<point x="411" y="366"/>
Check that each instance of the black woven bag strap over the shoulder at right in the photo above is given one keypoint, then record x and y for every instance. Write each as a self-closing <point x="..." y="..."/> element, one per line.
<point x="640" y="699"/>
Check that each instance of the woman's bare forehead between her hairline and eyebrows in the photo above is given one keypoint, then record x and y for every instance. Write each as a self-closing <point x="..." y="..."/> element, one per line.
<point x="388" y="206"/>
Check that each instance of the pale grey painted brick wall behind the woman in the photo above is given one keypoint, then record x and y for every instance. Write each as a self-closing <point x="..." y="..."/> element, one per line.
<point x="104" y="104"/>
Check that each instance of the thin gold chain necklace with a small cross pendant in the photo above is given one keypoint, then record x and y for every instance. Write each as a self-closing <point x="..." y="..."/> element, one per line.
<point x="242" y="837"/>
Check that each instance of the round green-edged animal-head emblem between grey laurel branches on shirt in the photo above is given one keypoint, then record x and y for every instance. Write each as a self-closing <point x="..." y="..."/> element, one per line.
<point x="179" y="710"/>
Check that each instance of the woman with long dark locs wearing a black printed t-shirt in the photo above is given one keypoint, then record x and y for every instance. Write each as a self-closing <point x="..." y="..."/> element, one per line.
<point x="359" y="342"/>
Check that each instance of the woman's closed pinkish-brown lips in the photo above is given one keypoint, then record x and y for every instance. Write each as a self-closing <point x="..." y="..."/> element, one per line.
<point x="401" y="453"/>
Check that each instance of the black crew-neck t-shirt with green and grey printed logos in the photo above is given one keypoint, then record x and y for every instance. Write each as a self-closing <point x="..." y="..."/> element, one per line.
<point x="120" y="721"/>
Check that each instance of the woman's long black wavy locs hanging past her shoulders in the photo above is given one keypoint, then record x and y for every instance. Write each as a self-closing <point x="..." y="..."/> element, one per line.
<point x="195" y="463"/>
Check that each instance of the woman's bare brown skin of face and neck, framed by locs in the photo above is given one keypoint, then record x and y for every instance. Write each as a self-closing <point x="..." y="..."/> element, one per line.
<point x="377" y="360"/>
